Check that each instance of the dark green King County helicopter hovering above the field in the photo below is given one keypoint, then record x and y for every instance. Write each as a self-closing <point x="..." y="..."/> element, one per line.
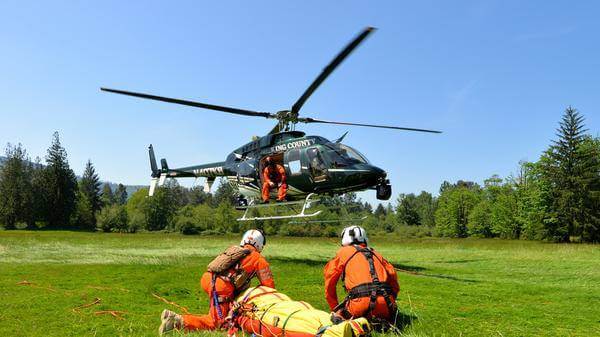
<point x="314" y="165"/>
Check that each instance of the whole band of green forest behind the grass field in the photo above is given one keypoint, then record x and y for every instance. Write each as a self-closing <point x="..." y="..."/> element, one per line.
<point x="556" y="198"/>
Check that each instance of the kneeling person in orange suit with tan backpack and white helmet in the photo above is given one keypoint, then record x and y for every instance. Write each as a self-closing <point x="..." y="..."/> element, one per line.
<point x="222" y="290"/>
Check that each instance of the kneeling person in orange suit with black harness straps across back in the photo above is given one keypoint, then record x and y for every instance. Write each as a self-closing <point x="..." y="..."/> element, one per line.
<point x="370" y="281"/>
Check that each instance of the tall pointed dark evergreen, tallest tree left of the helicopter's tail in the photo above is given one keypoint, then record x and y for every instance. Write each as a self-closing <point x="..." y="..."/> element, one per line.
<point x="60" y="185"/>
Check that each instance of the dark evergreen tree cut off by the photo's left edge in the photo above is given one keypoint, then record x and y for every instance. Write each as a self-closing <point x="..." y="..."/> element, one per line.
<point x="16" y="194"/>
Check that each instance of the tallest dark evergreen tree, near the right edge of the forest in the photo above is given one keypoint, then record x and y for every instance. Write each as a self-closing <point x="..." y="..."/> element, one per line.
<point x="566" y="166"/>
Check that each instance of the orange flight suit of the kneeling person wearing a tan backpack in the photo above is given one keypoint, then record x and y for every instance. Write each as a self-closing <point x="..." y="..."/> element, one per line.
<point x="255" y="265"/>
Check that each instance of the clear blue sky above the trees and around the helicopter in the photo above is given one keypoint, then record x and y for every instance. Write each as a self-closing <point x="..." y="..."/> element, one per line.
<point x="495" y="76"/>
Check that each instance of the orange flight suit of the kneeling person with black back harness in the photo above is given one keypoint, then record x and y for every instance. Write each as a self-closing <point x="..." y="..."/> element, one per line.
<point x="356" y="270"/>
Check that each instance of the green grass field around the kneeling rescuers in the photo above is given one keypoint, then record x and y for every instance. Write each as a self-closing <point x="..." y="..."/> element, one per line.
<point x="449" y="287"/>
